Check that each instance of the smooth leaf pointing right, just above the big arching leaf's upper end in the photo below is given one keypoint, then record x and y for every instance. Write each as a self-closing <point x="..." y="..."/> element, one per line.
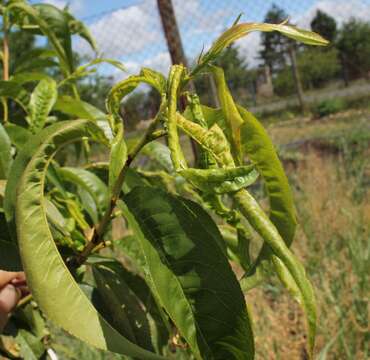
<point x="78" y="108"/>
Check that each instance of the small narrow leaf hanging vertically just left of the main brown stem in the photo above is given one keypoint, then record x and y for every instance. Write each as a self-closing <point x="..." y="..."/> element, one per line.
<point x="117" y="158"/>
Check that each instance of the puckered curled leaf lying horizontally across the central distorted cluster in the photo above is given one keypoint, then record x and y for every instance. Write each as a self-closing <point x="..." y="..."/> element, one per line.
<point x="222" y="180"/>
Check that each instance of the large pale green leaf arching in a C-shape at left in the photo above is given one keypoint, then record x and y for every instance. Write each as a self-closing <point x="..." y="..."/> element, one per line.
<point x="52" y="286"/>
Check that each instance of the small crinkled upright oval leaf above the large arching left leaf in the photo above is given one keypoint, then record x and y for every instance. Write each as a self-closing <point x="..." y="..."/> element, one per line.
<point x="42" y="101"/>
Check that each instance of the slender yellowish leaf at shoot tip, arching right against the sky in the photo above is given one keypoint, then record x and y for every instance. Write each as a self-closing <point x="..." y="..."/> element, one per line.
<point x="239" y="30"/>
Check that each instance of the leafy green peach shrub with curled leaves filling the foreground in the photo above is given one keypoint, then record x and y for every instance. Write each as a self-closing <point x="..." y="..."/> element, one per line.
<point x="177" y="294"/>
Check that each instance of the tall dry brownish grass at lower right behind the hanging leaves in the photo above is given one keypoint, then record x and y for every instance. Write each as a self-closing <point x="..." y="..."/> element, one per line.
<point x="331" y="222"/>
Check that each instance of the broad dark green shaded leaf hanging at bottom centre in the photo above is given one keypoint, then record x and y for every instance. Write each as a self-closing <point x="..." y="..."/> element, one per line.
<point x="193" y="280"/>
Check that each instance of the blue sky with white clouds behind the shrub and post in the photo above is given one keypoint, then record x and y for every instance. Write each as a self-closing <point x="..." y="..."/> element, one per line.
<point x="130" y="30"/>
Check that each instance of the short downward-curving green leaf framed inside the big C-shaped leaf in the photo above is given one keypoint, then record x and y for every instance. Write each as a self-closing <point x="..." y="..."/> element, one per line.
<point x="88" y="181"/>
